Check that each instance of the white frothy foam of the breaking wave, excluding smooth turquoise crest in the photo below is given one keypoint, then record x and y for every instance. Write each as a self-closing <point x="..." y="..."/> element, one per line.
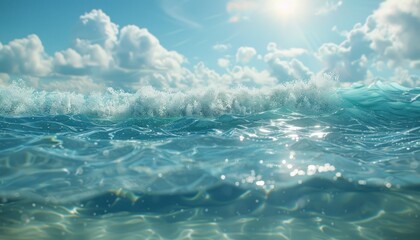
<point x="17" y="99"/>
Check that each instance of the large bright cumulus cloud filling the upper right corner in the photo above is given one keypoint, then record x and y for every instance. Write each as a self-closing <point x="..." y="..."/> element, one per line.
<point x="389" y="35"/>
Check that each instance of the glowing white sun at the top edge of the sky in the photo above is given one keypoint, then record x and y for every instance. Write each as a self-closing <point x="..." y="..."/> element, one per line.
<point x="283" y="8"/>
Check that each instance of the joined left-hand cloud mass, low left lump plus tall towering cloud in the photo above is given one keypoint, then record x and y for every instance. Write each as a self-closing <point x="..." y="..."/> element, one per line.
<point x="102" y="55"/>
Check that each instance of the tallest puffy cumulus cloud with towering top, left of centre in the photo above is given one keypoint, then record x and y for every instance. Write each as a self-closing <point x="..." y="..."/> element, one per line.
<point x="131" y="51"/>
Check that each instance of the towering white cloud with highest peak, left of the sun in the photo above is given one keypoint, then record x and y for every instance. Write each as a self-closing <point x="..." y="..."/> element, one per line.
<point x="129" y="58"/>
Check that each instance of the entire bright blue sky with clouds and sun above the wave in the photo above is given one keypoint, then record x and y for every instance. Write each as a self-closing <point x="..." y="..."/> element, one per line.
<point x="88" y="45"/>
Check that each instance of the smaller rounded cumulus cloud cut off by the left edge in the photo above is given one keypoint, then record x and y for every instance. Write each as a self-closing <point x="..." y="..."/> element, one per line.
<point x="25" y="56"/>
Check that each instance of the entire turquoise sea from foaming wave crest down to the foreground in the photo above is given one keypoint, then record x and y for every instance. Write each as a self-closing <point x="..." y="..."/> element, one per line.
<point x="301" y="161"/>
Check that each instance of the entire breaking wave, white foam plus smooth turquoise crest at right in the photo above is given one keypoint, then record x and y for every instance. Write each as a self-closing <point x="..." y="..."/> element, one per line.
<point x="309" y="97"/>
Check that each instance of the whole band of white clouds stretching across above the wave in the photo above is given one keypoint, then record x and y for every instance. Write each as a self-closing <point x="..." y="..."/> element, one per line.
<point x="130" y="57"/>
